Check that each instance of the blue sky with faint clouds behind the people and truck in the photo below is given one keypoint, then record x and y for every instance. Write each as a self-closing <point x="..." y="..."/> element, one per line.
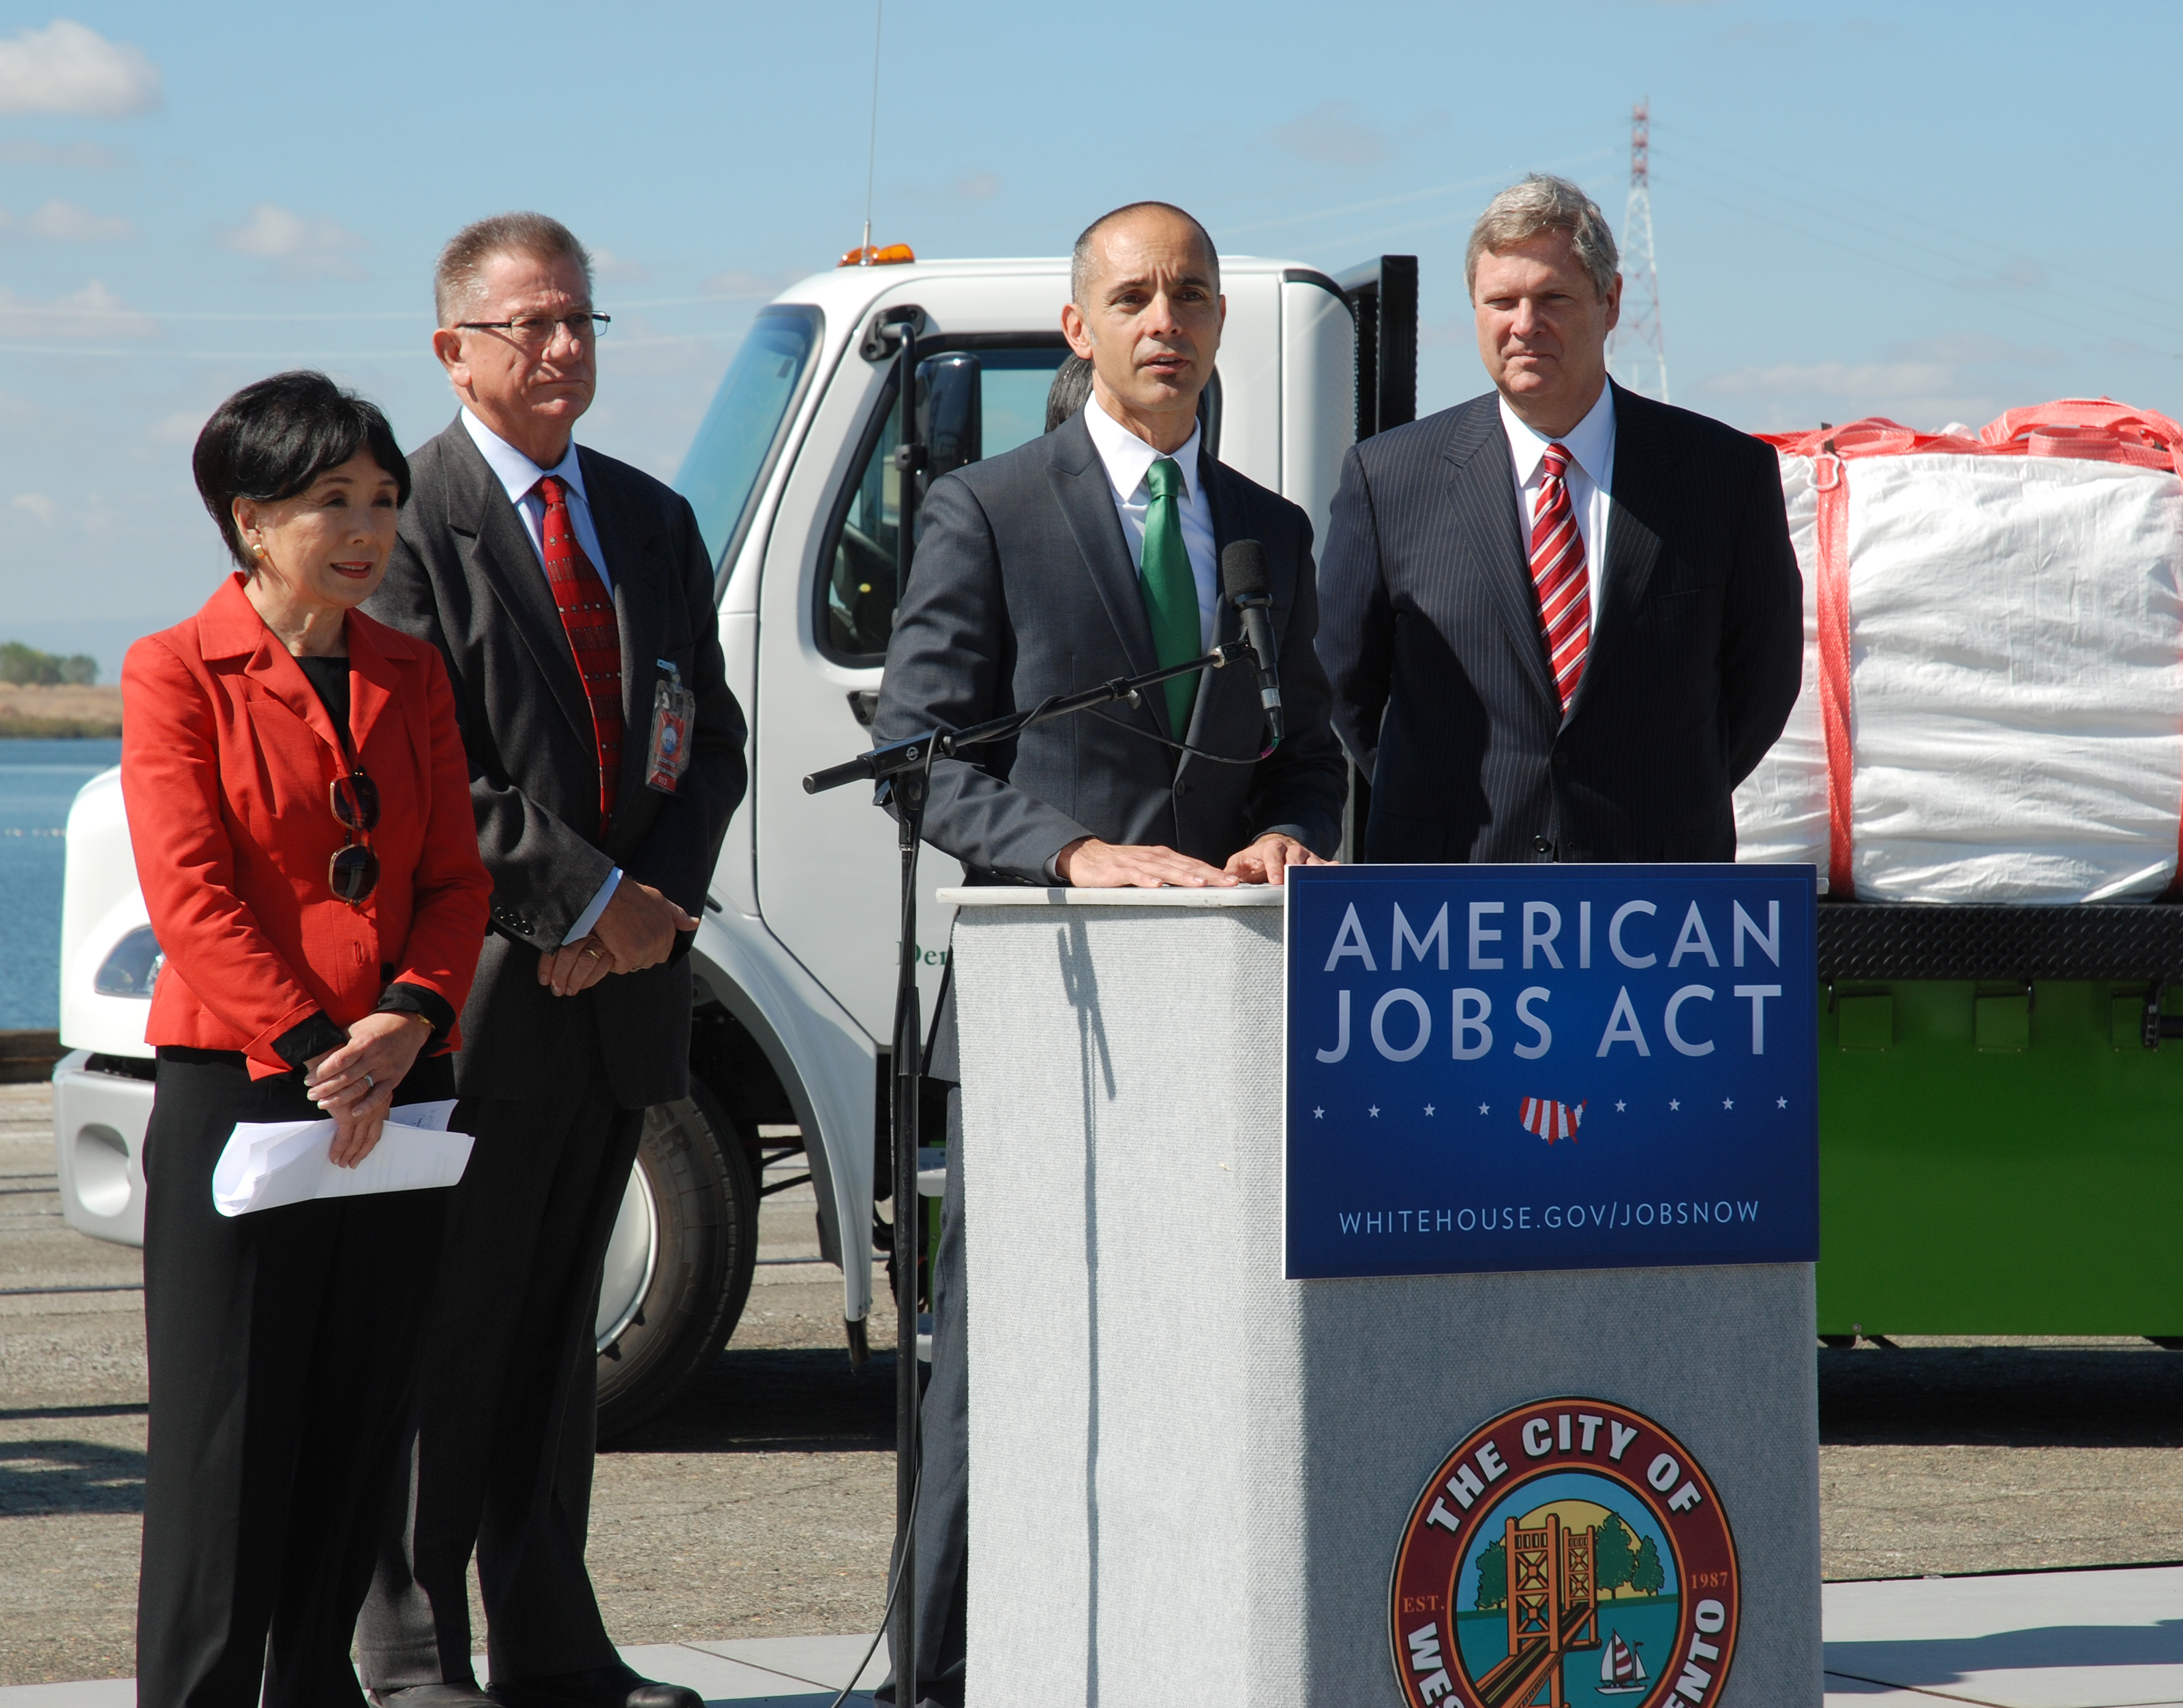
<point x="1922" y="211"/>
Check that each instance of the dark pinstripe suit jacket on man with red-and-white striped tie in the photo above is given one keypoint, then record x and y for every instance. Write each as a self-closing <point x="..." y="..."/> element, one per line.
<point x="1442" y="685"/>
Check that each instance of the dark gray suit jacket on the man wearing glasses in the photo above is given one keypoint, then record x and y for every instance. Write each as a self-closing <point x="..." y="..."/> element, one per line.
<point x="468" y="580"/>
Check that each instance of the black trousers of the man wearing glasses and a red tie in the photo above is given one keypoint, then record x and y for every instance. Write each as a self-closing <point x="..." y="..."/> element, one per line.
<point x="508" y="1401"/>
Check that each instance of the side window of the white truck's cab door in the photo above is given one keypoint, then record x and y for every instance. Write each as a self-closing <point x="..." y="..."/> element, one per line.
<point x="859" y="593"/>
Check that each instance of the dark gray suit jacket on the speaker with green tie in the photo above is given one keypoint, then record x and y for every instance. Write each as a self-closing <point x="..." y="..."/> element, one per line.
<point x="1025" y="589"/>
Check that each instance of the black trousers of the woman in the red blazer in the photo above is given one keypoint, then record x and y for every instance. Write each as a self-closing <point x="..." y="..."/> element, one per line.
<point x="283" y="1357"/>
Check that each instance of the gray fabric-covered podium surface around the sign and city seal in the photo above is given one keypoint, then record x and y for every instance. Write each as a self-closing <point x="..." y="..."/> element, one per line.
<point x="1191" y="1475"/>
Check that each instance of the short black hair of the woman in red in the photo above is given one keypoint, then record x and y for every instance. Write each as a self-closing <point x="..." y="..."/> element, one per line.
<point x="274" y="438"/>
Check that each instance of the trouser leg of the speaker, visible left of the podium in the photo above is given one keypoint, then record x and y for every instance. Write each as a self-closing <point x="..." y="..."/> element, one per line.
<point x="944" y="1456"/>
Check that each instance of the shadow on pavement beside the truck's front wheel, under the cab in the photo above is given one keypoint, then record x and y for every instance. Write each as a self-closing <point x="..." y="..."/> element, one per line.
<point x="778" y="1401"/>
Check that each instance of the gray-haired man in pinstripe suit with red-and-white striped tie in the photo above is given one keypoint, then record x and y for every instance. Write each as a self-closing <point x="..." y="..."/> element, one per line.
<point x="1562" y="621"/>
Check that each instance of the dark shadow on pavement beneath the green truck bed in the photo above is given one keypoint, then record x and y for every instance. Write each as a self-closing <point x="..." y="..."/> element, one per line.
<point x="2001" y="1397"/>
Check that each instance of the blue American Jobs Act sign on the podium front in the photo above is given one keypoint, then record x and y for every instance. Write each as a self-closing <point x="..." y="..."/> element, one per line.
<point x="1551" y="1067"/>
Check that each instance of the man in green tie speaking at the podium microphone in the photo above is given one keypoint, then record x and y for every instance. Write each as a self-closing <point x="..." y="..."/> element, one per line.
<point x="1079" y="558"/>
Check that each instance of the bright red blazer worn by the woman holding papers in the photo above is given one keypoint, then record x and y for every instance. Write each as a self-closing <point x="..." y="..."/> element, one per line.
<point x="226" y="766"/>
